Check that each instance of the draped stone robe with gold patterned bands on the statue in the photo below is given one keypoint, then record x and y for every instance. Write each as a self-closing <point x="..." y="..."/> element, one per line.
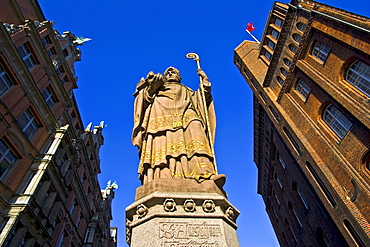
<point x="170" y="132"/>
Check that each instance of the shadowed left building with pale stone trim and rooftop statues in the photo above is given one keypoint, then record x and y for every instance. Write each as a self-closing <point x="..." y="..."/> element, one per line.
<point x="49" y="192"/>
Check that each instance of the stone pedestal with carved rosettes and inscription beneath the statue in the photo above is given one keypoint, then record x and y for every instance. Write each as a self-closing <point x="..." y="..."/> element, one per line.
<point x="181" y="212"/>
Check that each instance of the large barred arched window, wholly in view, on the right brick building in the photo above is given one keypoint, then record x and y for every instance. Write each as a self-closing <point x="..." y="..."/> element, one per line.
<point x="336" y="121"/>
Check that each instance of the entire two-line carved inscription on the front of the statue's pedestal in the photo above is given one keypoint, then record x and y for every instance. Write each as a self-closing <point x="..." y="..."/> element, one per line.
<point x="188" y="234"/>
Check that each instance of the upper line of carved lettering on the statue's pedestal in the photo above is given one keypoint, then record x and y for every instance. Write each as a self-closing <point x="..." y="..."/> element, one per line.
<point x="183" y="230"/>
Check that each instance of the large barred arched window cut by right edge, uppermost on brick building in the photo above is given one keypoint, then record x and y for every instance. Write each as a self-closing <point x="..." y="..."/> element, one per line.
<point x="358" y="74"/>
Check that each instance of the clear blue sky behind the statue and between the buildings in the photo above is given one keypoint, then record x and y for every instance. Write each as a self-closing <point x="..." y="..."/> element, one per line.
<point x="131" y="38"/>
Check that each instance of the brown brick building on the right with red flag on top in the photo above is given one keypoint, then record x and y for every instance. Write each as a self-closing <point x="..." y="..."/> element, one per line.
<point x="310" y="76"/>
